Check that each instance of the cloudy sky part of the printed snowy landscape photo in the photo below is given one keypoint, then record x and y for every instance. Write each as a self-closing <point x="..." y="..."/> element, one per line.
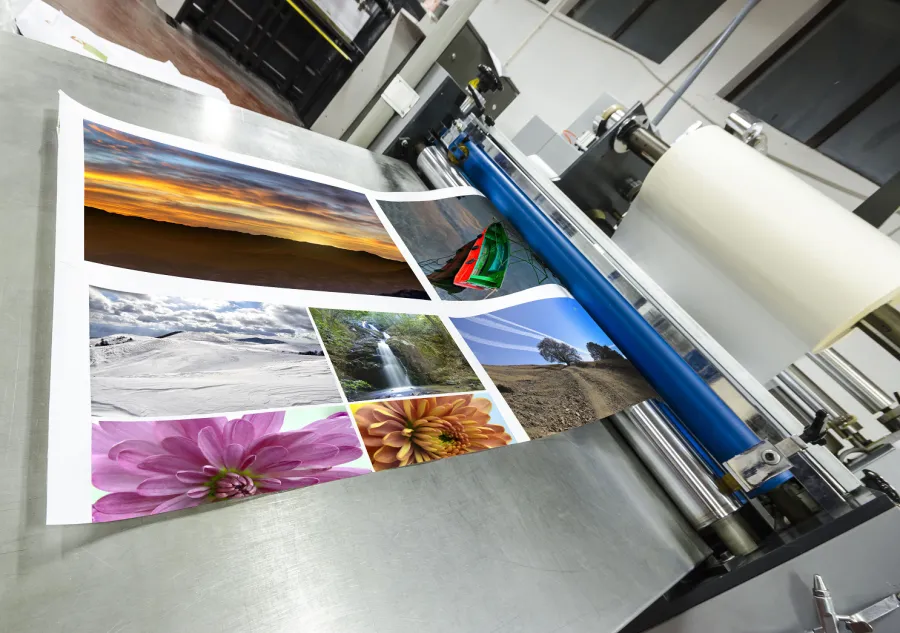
<point x="114" y="312"/>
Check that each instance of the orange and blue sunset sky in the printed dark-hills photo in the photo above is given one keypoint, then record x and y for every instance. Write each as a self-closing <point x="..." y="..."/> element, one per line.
<point x="129" y="175"/>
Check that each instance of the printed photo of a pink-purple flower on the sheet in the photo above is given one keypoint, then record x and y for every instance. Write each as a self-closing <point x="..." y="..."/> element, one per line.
<point x="146" y="467"/>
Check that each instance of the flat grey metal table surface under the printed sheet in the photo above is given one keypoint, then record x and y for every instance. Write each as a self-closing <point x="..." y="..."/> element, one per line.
<point x="564" y="534"/>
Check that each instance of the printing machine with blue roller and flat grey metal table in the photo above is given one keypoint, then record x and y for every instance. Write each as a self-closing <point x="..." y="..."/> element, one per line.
<point x="714" y="508"/>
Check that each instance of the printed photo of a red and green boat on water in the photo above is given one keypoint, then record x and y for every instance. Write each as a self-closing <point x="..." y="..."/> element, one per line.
<point x="466" y="248"/>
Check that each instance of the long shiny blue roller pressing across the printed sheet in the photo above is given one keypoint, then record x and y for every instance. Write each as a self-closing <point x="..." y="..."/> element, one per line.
<point x="714" y="425"/>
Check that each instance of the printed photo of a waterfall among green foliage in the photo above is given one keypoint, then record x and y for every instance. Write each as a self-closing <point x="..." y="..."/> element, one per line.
<point x="380" y="355"/>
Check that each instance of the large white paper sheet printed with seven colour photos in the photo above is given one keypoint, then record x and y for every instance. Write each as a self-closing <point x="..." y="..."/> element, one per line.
<point x="226" y="327"/>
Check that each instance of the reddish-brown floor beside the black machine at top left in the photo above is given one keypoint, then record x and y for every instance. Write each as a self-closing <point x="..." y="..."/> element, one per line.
<point x="141" y="26"/>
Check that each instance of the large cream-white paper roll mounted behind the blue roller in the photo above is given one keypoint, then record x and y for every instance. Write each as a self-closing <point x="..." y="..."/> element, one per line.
<point x="812" y="264"/>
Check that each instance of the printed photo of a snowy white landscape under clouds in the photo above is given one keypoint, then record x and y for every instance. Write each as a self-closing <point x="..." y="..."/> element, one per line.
<point x="157" y="355"/>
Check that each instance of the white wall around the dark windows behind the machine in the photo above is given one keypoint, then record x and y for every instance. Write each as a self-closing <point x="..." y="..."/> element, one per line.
<point x="561" y="68"/>
